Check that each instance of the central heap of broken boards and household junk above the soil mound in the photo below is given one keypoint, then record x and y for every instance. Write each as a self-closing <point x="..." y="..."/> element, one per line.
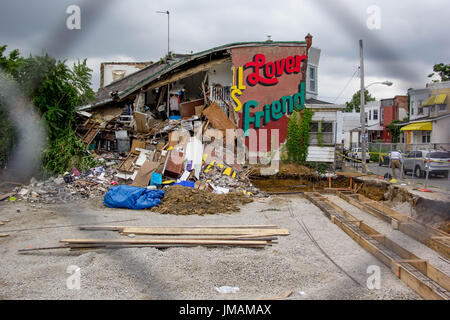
<point x="174" y="152"/>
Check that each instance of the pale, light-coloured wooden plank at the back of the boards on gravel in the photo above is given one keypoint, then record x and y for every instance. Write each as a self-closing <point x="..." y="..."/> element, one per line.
<point x="202" y="231"/>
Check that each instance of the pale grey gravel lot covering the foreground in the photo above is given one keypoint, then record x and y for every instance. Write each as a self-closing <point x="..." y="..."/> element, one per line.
<point x="294" y="263"/>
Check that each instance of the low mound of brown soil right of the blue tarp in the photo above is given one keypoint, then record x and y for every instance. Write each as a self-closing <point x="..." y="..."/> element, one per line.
<point x="184" y="201"/>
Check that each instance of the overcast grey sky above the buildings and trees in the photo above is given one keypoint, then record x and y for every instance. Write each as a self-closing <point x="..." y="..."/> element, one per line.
<point x="413" y="34"/>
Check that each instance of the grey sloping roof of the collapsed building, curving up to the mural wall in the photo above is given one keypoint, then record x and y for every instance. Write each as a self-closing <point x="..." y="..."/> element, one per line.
<point x="120" y="89"/>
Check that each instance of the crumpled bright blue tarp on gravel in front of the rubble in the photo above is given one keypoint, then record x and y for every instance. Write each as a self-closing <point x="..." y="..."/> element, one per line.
<point x="132" y="197"/>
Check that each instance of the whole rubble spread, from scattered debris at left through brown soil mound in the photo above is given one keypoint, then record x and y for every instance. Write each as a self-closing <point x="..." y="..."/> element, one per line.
<point x="134" y="148"/>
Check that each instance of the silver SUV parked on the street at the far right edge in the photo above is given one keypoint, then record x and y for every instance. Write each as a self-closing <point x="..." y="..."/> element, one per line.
<point x="419" y="161"/>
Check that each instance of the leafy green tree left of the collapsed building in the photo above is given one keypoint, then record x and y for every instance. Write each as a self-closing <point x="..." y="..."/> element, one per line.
<point x="56" y="91"/>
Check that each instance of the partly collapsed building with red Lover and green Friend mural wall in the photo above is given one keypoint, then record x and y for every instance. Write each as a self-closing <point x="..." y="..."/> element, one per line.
<point x="248" y="89"/>
